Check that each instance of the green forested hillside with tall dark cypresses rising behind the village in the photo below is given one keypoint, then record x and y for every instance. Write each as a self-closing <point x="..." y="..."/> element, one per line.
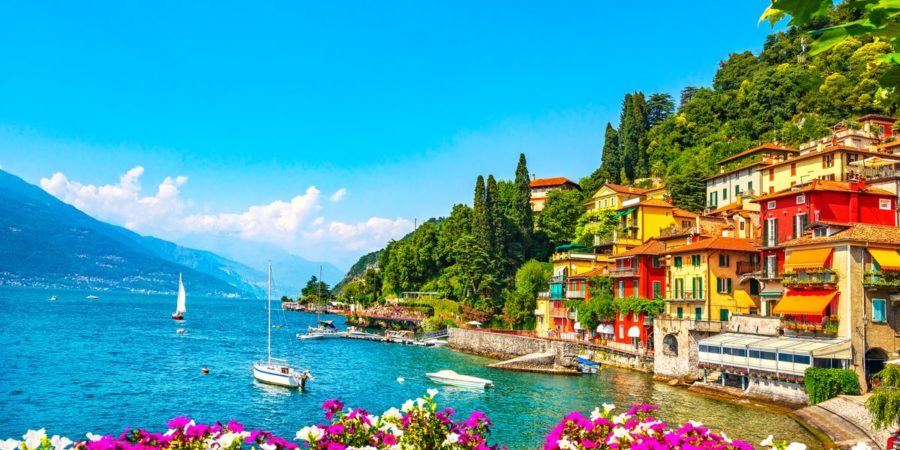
<point x="782" y="94"/>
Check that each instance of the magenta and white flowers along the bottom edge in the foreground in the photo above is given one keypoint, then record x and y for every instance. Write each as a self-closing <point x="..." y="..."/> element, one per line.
<point x="418" y="424"/>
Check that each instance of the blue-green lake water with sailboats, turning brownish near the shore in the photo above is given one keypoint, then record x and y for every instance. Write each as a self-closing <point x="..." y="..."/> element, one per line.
<point x="76" y="365"/>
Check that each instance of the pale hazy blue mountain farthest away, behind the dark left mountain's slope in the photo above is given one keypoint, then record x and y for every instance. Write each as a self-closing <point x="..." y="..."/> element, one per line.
<point x="290" y="272"/>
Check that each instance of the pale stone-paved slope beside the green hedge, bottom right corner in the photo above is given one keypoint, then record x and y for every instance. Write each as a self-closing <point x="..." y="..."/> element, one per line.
<point x="845" y="420"/>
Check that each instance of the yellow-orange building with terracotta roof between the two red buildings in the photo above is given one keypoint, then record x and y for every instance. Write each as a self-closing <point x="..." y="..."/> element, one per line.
<point x="703" y="279"/>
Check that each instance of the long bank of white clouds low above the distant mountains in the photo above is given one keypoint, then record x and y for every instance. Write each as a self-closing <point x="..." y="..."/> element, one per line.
<point x="284" y="223"/>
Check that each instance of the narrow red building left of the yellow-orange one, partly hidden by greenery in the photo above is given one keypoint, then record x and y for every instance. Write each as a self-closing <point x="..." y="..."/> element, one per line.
<point x="639" y="272"/>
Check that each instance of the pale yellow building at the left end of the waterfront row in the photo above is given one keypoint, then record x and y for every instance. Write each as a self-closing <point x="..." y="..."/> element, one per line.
<point x="552" y="317"/>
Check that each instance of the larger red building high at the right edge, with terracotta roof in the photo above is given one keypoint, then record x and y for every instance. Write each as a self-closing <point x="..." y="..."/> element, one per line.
<point x="787" y="214"/>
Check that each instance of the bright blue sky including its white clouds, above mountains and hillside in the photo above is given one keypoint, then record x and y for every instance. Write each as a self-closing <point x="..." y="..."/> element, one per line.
<point x="401" y="104"/>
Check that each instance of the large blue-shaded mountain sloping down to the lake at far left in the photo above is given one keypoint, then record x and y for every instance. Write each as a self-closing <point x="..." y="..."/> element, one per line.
<point x="47" y="243"/>
